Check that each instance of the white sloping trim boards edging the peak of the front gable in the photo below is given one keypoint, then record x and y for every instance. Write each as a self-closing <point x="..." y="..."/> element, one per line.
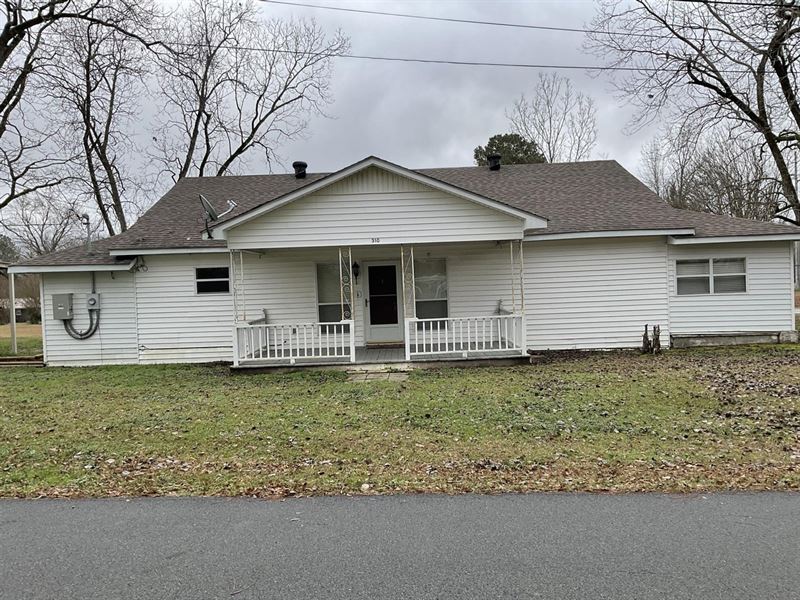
<point x="530" y="220"/>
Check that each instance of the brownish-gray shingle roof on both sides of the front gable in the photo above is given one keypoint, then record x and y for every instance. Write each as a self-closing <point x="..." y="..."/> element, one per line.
<point x="591" y="196"/>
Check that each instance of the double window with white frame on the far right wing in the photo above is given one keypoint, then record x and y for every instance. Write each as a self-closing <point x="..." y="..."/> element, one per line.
<point x="711" y="276"/>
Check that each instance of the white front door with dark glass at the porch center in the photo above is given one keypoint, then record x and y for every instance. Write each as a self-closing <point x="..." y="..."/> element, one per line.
<point x="384" y="322"/>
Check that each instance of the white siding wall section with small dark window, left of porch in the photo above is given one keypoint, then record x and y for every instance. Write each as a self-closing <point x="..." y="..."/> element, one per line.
<point x="176" y="324"/>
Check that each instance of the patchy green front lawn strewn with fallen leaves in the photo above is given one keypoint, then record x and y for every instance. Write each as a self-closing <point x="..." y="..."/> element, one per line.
<point x="686" y="420"/>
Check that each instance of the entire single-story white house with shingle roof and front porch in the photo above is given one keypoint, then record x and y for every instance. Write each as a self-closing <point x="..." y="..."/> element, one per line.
<point x="378" y="261"/>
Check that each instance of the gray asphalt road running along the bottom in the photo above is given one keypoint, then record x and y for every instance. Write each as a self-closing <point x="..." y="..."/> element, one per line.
<point x="514" y="546"/>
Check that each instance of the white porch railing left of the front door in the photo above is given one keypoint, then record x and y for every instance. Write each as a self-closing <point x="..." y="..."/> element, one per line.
<point x="294" y="341"/>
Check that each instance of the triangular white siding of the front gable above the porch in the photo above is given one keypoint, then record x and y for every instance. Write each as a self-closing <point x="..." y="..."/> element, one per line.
<point x="375" y="207"/>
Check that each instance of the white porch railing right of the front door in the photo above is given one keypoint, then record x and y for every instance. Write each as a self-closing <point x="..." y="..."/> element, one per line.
<point x="465" y="336"/>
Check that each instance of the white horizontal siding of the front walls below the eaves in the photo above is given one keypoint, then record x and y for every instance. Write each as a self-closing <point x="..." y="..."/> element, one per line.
<point x="590" y="294"/>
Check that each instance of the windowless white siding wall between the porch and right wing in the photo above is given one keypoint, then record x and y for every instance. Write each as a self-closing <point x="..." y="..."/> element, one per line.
<point x="595" y="294"/>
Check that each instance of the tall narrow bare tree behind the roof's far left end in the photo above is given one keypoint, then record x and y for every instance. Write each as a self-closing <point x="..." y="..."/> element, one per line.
<point x="94" y="85"/>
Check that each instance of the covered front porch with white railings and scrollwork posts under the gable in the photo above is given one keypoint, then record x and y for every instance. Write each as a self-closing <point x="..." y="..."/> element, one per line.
<point x="461" y="290"/>
